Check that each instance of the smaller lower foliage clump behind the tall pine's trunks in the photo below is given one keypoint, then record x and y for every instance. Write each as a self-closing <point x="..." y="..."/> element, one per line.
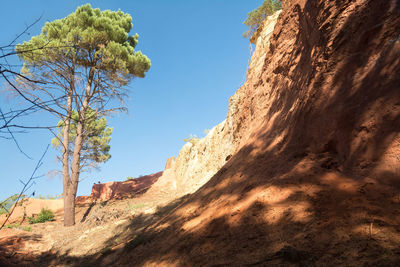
<point x="96" y="146"/>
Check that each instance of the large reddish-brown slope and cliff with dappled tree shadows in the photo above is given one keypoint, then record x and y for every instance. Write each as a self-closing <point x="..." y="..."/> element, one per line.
<point x="304" y="171"/>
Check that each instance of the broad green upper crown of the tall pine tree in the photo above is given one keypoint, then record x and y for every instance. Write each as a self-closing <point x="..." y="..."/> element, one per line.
<point x="89" y="36"/>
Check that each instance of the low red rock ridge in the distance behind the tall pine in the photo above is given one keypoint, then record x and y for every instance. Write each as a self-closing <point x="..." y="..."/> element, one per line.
<point x="119" y="190"/>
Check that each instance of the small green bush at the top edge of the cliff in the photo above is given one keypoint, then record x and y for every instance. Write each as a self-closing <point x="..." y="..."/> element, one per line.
<point x="256" y="17"/>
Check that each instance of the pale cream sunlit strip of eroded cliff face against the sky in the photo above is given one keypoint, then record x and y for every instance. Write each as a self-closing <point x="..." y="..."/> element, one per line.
<point x="198" y="161"/>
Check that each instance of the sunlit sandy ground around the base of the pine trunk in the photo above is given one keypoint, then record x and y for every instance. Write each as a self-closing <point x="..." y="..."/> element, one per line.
<point x="101" y="227"/>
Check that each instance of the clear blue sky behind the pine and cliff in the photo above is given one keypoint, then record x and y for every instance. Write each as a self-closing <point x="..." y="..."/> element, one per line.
<point x="199" y="59"/>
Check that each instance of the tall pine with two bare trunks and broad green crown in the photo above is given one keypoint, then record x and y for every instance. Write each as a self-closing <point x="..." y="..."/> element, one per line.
<point x="88" y="59"/>
